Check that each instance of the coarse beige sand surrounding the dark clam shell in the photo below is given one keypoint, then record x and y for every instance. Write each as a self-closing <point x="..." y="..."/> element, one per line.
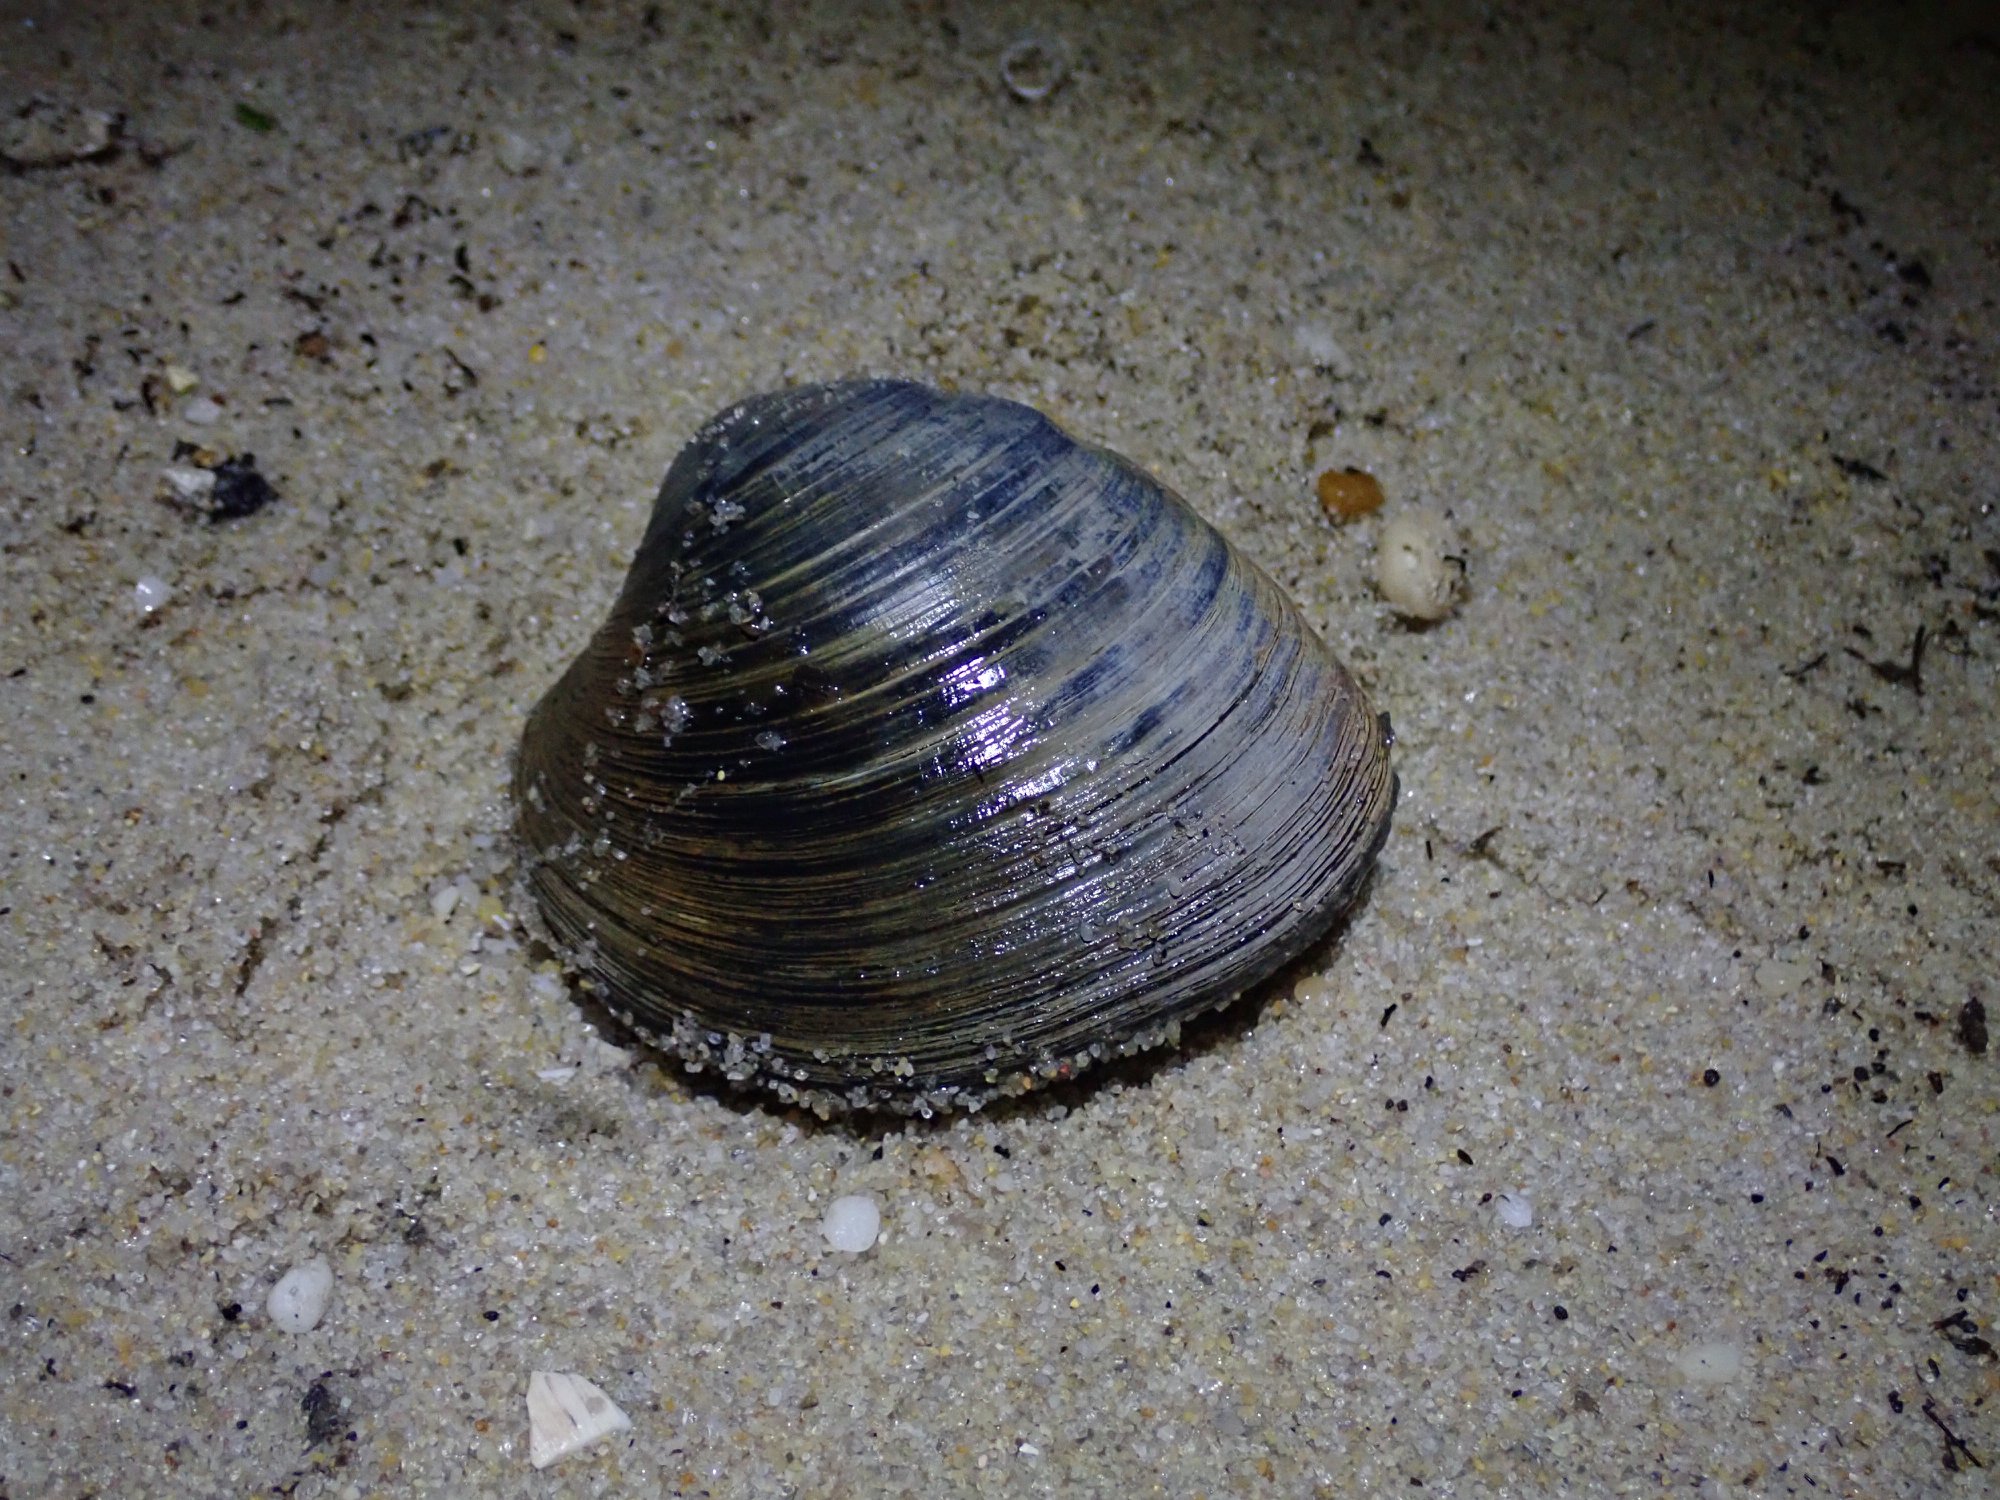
<point x="1637" y="1133"/>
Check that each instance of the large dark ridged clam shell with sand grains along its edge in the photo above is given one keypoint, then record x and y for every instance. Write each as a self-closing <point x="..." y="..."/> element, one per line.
<point x="931" y="755"/>
